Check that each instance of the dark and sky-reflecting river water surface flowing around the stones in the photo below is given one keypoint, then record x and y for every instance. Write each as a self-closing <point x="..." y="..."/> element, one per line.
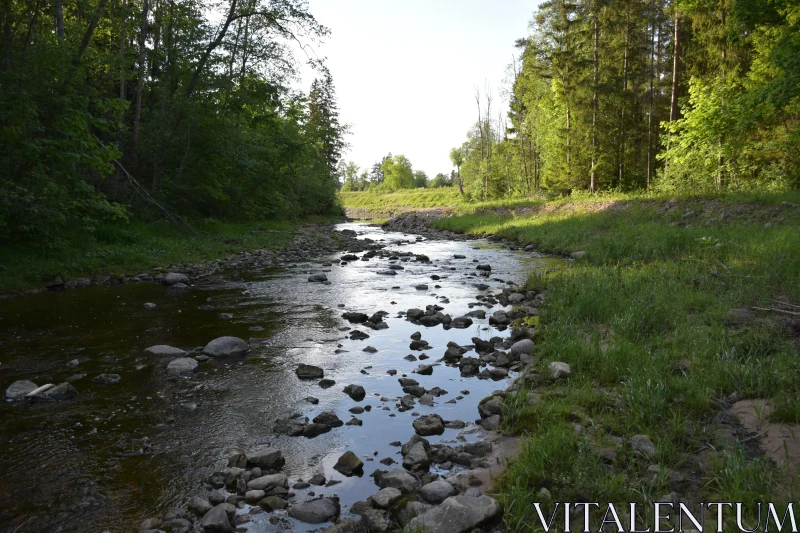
<point x="68" y="467"/>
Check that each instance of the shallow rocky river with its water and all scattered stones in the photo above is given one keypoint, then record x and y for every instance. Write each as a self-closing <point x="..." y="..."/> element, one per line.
<point x="353" y="382"/>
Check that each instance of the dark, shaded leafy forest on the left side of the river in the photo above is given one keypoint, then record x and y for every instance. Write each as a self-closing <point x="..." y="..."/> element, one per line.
<point x="157" y="109"/>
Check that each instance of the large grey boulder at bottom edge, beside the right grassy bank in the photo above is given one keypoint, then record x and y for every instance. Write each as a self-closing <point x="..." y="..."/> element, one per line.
<point x="457" y="514"/>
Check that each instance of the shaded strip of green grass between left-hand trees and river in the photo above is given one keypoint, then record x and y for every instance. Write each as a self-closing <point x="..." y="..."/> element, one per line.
<point x="131" y="248"/>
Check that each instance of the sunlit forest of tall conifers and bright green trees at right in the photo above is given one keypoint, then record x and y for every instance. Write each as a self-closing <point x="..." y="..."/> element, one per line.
<point x="630" y="95"/>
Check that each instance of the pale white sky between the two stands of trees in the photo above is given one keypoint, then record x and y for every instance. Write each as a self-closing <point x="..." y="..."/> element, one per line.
<point x="405" y="71"/>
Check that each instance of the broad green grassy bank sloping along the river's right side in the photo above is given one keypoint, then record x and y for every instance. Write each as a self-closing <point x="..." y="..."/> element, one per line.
<point x="644" y="321"/>
